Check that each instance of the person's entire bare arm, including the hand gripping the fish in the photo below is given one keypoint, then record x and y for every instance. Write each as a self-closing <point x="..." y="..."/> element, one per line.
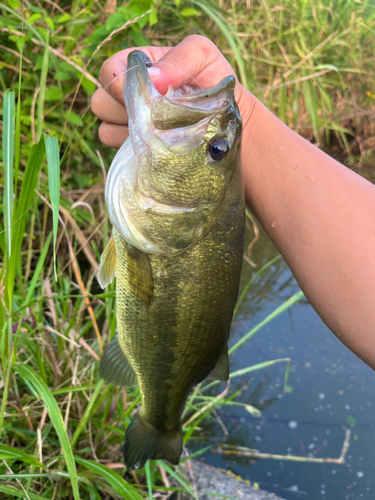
<point x="319" y="214"/>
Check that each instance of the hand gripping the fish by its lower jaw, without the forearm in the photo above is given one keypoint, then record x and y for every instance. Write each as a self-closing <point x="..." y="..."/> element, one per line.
<point x="195" y="61"/>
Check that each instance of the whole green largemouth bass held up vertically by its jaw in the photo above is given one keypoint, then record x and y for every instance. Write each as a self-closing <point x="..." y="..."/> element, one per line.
<point x="175" y="199"/>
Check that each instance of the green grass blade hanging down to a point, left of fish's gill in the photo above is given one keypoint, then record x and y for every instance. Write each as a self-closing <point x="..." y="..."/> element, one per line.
<point x="53" y="161"/>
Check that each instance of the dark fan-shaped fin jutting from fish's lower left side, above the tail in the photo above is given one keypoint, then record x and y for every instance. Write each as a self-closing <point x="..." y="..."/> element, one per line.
<point x="115" y="367"/>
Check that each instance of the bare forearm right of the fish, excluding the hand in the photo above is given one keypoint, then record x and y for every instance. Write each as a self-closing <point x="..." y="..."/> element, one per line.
<point x="321" y="217"/>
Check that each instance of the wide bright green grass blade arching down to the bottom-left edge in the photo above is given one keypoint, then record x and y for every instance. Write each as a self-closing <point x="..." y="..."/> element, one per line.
<point x="38" y="387"/>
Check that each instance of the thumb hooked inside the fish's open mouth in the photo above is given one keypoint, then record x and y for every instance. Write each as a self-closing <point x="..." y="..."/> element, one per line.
<point x="195" y="61"/>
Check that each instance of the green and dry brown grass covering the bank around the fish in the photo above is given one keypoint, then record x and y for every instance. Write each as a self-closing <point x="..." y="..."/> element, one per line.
<point x="61" y="428"/>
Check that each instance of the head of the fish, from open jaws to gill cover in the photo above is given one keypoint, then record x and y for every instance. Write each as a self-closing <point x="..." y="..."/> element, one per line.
<point x="168" y="181"/>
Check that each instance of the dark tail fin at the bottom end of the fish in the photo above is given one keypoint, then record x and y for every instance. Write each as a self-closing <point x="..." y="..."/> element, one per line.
<point x="143" y="442"/>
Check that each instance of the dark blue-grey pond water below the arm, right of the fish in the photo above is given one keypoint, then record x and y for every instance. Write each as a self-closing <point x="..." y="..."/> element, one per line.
<point x="331" y="389"/>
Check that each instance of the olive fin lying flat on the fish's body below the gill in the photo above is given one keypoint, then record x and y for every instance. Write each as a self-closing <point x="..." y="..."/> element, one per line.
<point x="140" y="275"/>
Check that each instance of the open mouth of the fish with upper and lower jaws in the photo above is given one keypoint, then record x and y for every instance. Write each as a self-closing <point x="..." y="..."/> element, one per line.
<point x="176" y="109"/>
